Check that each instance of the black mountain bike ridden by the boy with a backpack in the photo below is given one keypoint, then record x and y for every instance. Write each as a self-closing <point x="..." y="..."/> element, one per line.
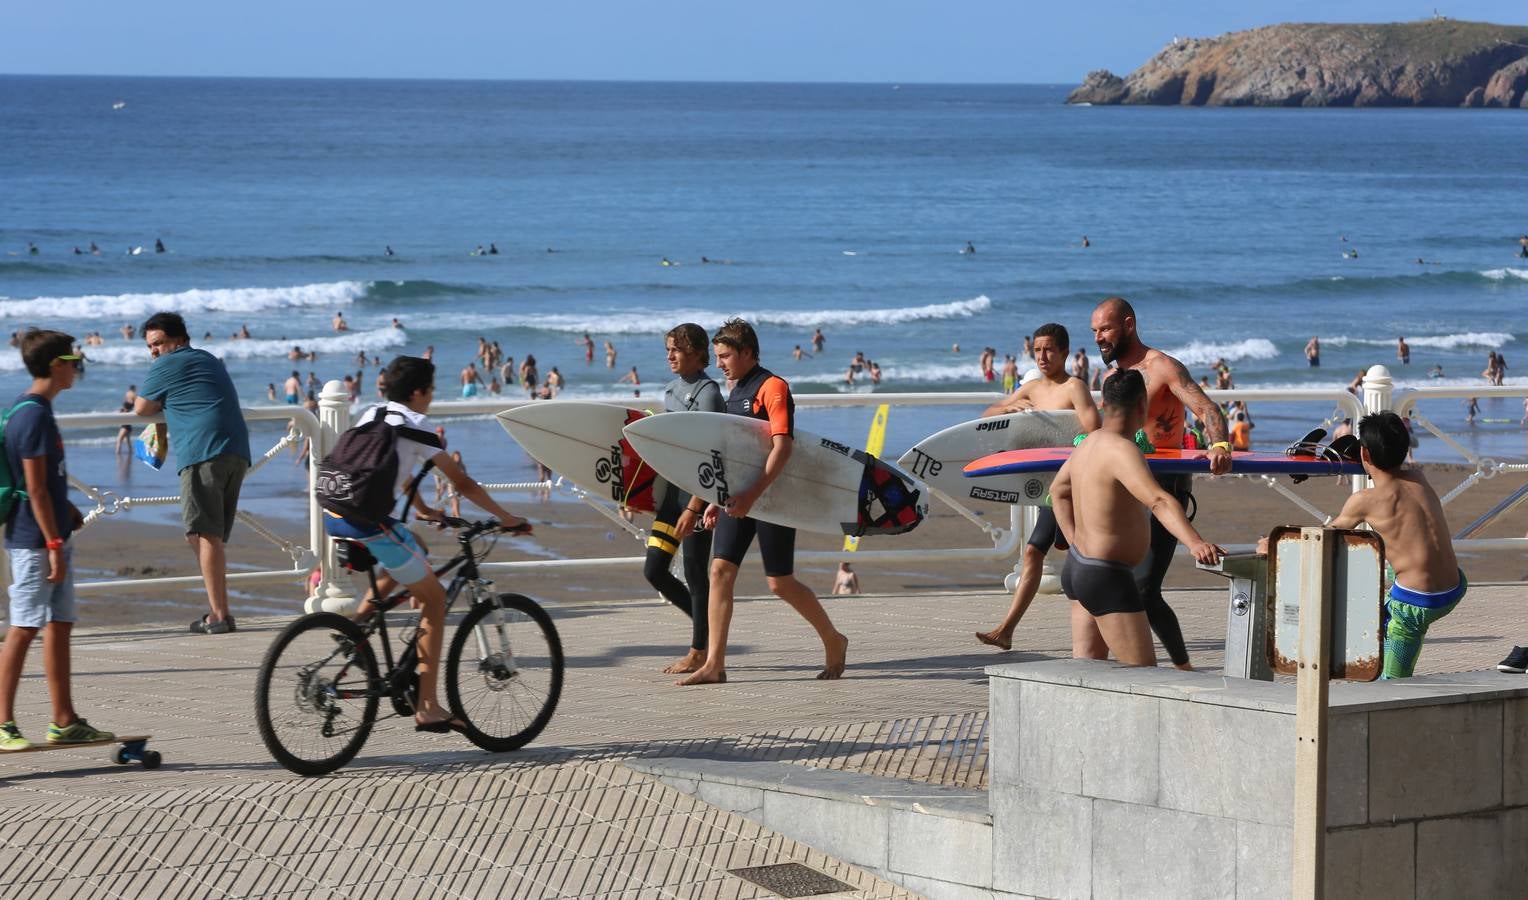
<point x="320" y="688"/>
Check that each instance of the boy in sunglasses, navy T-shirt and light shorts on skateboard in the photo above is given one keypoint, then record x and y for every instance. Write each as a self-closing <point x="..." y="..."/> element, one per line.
<point x="37" y="540"/>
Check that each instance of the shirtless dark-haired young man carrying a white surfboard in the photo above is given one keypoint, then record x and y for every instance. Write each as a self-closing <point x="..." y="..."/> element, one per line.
<point x="1054" y="390"/>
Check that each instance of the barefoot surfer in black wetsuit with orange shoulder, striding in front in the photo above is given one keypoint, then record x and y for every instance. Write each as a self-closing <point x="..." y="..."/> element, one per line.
<point x="757" y="393"/>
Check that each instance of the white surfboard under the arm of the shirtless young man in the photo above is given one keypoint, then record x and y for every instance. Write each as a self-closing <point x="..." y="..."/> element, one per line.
<point x="940" y="458"/>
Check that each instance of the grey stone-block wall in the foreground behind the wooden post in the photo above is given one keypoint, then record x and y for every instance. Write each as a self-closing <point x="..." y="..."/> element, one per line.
<point x="1112" y="783"/>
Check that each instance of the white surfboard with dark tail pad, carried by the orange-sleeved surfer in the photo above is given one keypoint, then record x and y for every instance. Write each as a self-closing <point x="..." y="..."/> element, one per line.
<point x="826" y="487"/>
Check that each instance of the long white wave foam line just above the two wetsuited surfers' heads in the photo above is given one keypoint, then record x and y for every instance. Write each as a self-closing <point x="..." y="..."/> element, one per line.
<point x="643" y="322"/>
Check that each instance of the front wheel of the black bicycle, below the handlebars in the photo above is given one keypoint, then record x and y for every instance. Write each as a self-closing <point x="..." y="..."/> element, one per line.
<point x="505" y="672"/>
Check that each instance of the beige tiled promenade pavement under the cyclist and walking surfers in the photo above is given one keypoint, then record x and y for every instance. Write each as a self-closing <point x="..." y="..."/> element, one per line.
<point x="433" y="817"/>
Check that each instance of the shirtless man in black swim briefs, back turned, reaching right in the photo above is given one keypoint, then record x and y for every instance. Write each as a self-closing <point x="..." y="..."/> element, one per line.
<point x="1098" y="497"/>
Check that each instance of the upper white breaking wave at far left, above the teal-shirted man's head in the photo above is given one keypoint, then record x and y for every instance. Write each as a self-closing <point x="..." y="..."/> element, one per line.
<point x="228" y="300"/>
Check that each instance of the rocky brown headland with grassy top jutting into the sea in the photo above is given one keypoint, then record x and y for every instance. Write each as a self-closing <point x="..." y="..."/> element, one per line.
<point x="1426" y="65"/>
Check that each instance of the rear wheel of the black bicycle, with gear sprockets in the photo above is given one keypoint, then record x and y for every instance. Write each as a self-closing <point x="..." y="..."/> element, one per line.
<point x="317" y="694"/>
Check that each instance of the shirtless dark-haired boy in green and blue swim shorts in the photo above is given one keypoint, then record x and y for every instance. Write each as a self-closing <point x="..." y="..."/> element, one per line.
<point x="1405" y="511"/>
